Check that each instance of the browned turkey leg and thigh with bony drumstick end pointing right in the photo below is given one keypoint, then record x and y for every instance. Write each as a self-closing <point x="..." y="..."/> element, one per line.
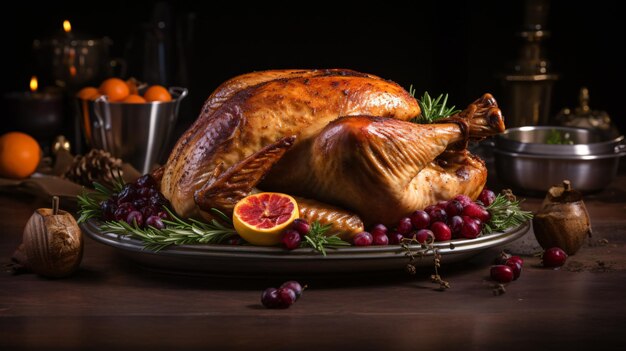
<point x="383" y="168"/>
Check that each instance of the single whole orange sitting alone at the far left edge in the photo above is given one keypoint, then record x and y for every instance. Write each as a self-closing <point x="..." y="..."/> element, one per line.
<point x="19" y="155"/>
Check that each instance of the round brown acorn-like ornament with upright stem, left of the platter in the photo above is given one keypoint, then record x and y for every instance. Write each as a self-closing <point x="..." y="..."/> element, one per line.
<point x="52" y="243"/>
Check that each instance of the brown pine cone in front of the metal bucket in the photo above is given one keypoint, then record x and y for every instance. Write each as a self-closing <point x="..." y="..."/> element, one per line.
<point x="96" y="166"/>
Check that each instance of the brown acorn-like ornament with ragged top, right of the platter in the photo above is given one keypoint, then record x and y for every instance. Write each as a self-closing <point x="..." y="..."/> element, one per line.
<point x="563" y="220"/>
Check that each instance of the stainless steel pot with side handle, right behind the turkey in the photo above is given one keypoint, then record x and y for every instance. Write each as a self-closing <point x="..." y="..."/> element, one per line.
<point x="526" y="163"/>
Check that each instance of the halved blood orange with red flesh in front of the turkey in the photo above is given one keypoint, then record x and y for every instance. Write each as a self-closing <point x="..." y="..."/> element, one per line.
<point x="261" y="218"/>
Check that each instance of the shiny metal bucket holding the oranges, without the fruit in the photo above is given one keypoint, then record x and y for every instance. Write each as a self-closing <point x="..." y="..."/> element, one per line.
<point x="137" y="133"/>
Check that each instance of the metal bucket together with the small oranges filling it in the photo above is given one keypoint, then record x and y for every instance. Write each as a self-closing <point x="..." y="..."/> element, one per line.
<point x="132" y="120"/>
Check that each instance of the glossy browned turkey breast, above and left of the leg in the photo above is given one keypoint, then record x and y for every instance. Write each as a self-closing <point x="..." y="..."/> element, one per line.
<point x="253" y="111"/>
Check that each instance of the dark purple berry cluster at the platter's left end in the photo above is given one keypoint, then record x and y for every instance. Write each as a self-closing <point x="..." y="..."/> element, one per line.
<point x="139" y="202"/>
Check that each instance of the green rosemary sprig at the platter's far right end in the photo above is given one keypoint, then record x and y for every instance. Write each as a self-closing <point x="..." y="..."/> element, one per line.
<point x="505" y="213"/>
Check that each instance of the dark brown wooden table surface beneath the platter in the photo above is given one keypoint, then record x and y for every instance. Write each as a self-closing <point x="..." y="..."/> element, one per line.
<point x="111" y="303"/>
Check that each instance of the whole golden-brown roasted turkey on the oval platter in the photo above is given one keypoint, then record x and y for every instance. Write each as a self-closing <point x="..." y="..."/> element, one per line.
<point x="339" y="139"/>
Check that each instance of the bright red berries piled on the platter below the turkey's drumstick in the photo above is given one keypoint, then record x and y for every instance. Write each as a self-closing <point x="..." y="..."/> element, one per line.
<point x="459" y="217"/>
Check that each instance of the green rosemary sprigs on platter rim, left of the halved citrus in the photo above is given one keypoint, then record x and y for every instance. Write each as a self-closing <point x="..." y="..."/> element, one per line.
<point x="176" y="232"/>
